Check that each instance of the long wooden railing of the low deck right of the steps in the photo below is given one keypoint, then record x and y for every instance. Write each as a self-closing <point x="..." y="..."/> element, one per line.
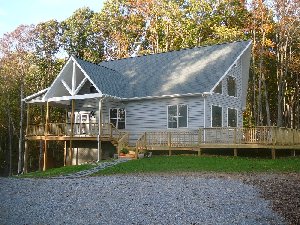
<point x="230" y="136"/>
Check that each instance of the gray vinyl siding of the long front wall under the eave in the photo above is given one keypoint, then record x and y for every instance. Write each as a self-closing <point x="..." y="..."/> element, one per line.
<point x="151" y="115"/>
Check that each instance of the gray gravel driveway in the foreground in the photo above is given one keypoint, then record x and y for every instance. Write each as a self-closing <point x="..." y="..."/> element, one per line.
<point x="134" y="199"/>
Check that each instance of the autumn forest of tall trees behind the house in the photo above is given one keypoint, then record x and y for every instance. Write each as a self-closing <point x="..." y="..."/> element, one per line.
<point x="32" y="55"/>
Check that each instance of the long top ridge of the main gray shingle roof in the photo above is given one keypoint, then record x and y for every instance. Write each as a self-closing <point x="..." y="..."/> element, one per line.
<point x="182" y="49"/>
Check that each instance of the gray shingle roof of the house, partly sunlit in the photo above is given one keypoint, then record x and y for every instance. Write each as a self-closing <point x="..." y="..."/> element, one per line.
<point x="194" y="70"/>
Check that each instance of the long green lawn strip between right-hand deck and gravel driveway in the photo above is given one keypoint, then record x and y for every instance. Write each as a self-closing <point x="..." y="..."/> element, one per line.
<point x="171" y="164"/>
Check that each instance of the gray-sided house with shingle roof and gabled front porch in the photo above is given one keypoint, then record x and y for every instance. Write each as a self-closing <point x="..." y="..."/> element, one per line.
<point x="119" y="101"/>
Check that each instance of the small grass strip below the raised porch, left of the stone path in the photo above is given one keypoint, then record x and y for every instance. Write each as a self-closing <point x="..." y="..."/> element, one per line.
<point x="57" y="171"/>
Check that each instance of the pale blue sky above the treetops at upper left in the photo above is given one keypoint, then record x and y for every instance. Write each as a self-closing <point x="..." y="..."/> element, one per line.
<point x="16" y="12"/>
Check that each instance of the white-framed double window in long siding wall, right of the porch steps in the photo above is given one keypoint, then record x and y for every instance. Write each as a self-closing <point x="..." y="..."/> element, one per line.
<point x="177" y="116"/>
